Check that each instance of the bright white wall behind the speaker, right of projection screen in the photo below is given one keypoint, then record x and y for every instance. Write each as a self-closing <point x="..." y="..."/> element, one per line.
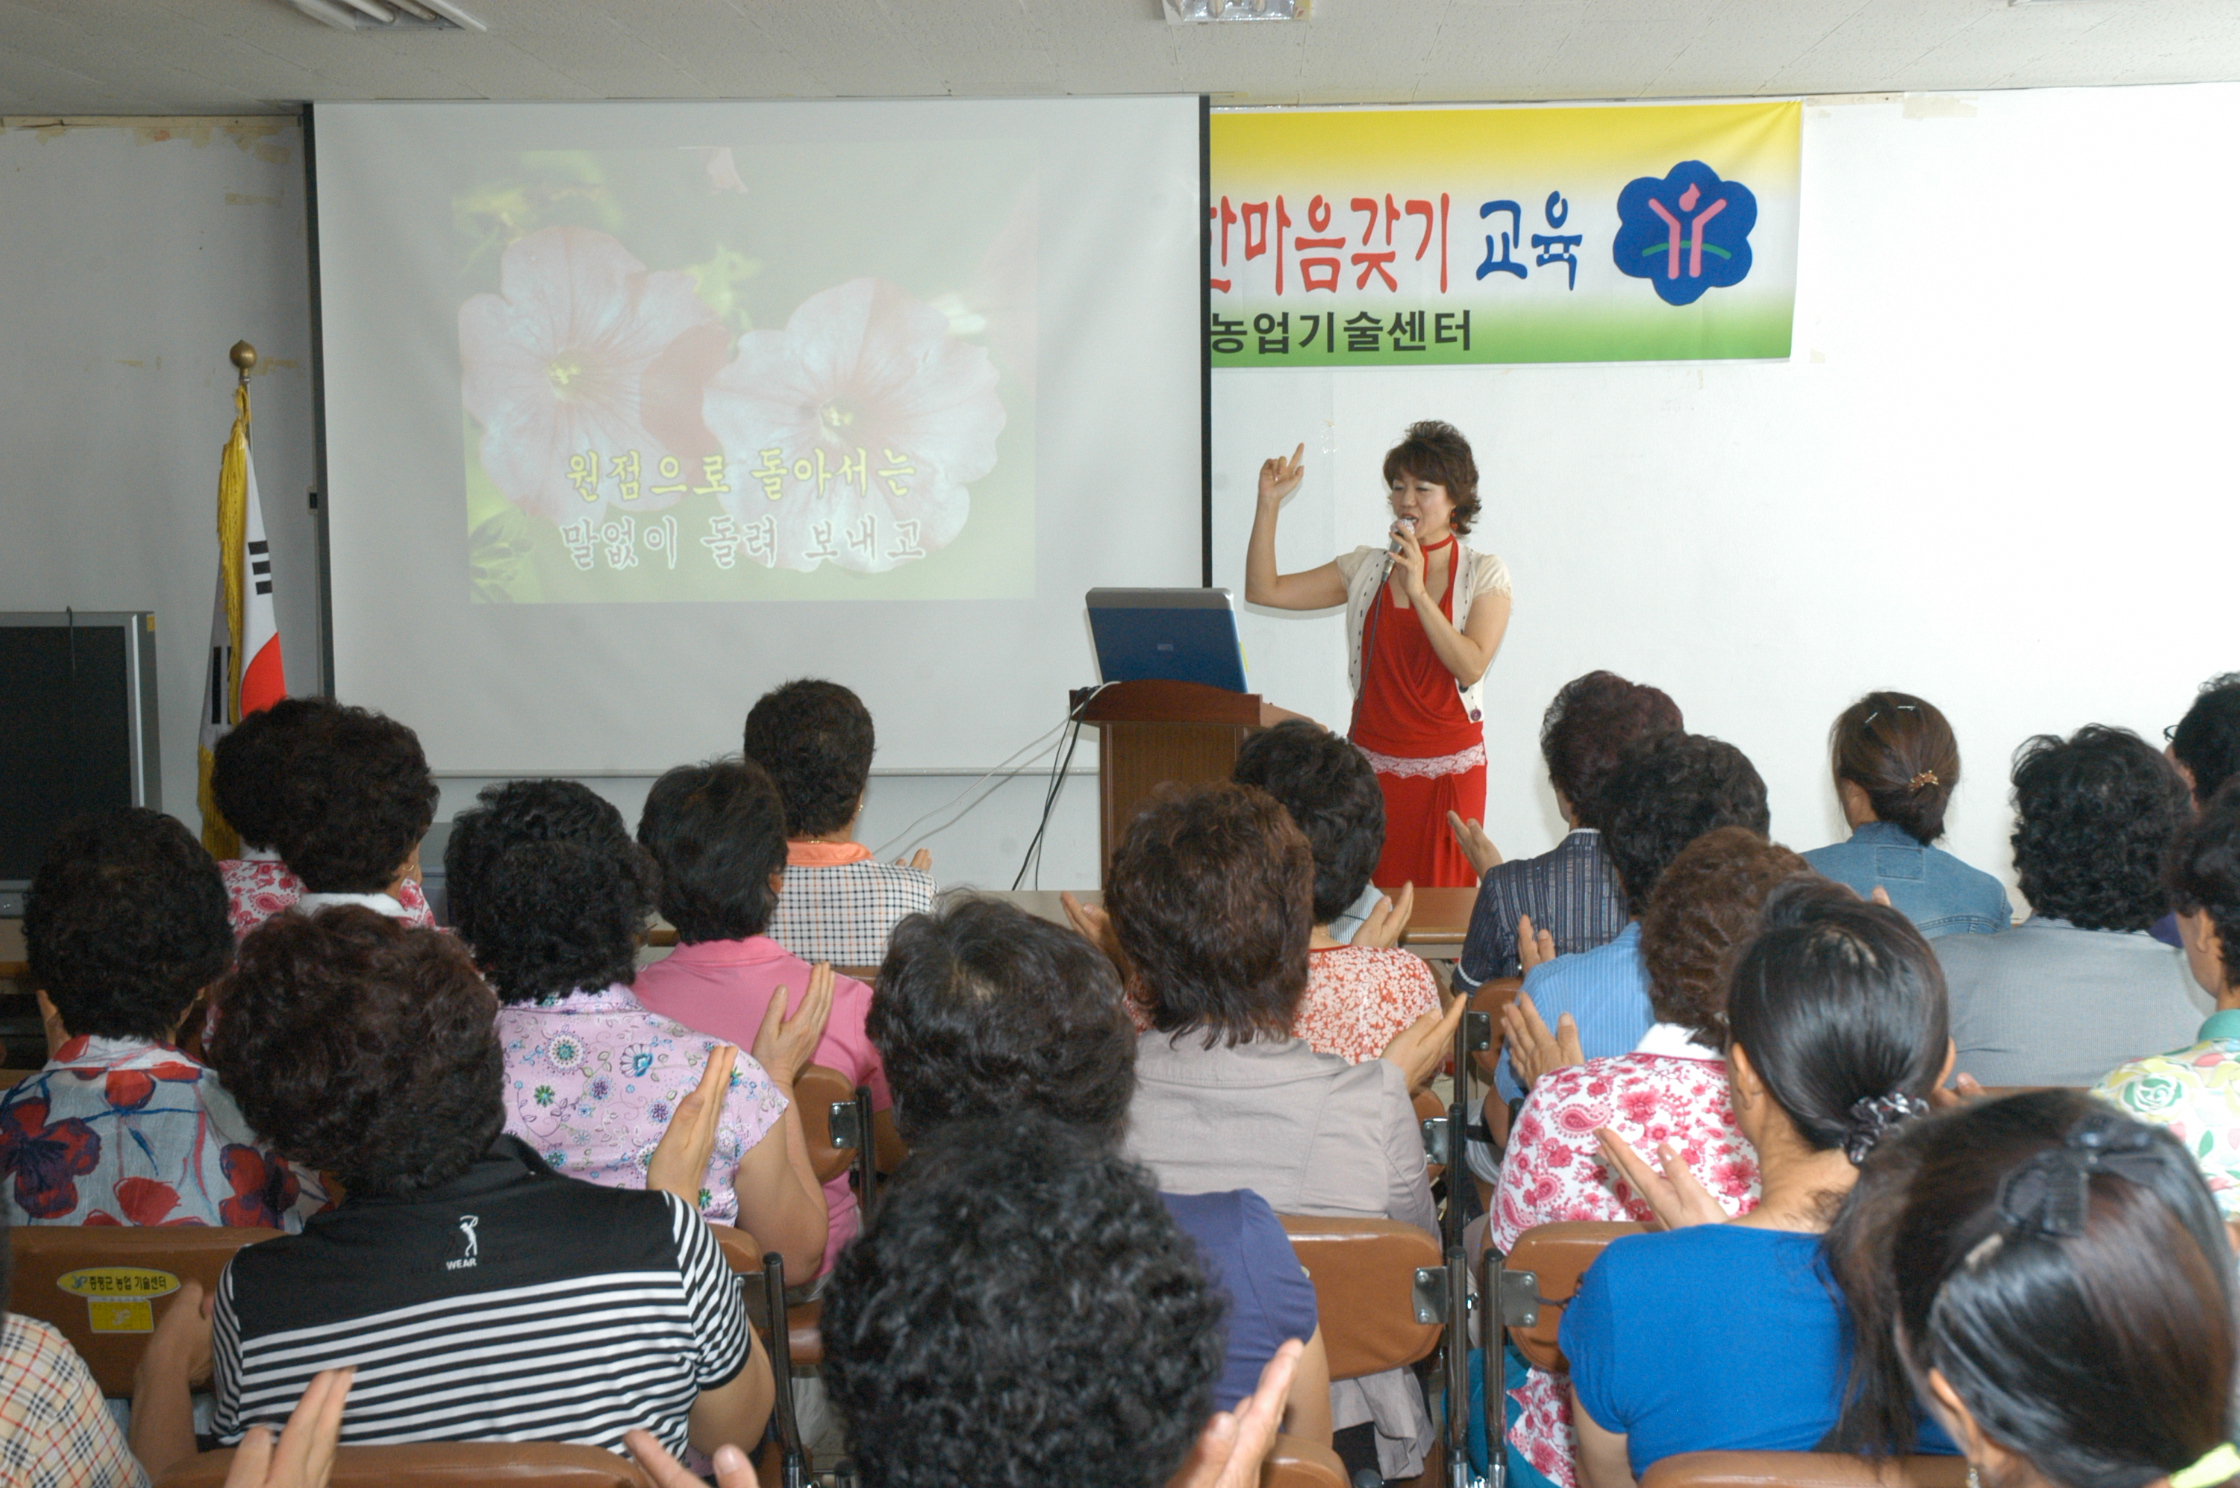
<point x="1995" y="472"/>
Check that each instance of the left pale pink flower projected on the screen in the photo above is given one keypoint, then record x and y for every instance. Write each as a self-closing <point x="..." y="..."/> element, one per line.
<point x="586" y="373"/>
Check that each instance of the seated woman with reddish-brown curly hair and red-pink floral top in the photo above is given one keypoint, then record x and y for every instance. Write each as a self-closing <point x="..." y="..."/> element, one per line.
<point x="1668" y="1095"/>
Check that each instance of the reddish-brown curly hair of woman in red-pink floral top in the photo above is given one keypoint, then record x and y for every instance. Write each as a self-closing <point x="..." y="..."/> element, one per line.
<point x="1701" y="915"/>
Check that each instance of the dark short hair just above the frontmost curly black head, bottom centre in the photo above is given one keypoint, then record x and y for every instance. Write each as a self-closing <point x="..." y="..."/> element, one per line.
<point x="987" y="1010"/>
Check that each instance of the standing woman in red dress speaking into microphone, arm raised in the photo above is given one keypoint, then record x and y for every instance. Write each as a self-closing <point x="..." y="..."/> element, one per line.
<point x="1424" y="622"/>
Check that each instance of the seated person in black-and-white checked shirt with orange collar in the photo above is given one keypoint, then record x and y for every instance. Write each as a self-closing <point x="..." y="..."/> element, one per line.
<point x="841" y="904"/>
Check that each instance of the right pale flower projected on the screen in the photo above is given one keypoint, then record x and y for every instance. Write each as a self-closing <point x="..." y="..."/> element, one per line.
<point x="855" y="434"/>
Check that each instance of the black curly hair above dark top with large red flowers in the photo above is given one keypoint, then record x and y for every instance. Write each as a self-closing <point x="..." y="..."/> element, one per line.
<point x="127" y="924"/>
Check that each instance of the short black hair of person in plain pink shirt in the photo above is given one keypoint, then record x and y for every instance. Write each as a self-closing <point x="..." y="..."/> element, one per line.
<point x="718" y="833"/>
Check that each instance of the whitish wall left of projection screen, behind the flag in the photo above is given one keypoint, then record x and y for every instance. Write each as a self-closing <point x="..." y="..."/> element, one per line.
<point x="136" y="257"/>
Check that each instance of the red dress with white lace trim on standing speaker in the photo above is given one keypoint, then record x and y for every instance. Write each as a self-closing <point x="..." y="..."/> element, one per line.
<point x="1430" y="759"/>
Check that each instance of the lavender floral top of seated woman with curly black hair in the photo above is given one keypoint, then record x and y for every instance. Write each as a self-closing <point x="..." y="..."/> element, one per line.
<point x="592" y="1081"/>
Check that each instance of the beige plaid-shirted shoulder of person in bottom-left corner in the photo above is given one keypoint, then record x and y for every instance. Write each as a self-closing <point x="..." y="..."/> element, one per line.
<point x="55" y="1426"/>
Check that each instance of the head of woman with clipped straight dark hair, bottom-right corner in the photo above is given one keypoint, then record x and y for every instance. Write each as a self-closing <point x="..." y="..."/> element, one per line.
<point x="2053" y="1285"/>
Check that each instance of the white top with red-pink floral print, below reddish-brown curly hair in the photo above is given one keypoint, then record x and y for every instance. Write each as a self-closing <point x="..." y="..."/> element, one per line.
<point x="1668" y="1090"/>
